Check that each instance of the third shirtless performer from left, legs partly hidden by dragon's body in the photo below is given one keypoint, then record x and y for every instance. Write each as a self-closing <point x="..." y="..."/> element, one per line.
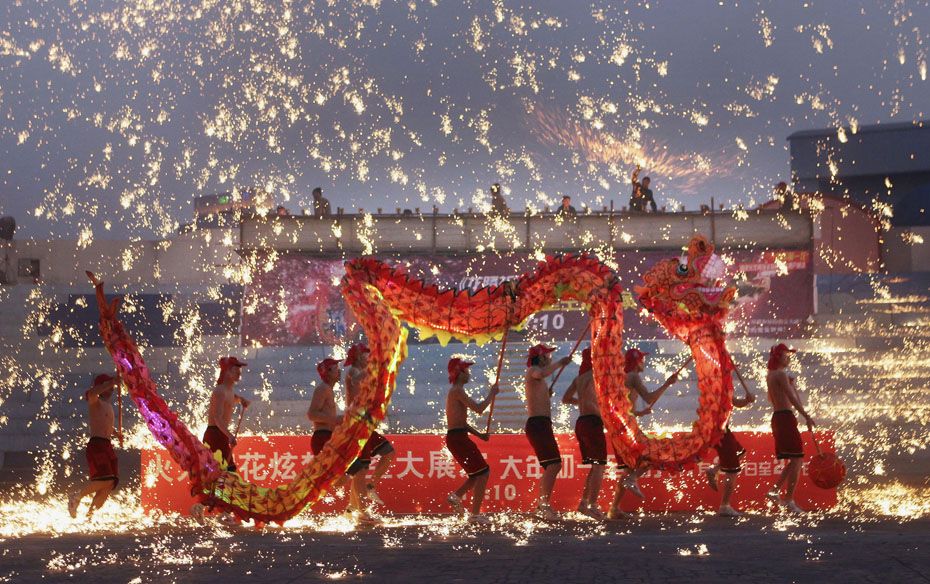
<point x="324" y="416"/>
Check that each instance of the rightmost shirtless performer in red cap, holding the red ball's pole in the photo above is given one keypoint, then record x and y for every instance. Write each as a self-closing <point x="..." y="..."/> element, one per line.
<point x="783" y="395"/>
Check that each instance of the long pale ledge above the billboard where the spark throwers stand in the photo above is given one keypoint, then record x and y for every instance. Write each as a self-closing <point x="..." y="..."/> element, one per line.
<point x="434" y="232"/>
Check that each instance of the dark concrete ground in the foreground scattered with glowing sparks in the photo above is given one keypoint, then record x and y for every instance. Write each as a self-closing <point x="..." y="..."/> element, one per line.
<point x="672" y="548"/>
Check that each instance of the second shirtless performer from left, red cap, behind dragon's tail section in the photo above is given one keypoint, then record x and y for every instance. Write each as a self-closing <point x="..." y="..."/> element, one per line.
<point x="223" y="400"/>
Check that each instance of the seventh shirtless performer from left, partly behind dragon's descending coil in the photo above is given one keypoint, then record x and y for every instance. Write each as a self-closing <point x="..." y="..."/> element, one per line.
<point x="589" y="430"/>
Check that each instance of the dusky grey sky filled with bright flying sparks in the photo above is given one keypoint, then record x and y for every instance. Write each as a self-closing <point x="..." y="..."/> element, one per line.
<point x="121" y="113"/>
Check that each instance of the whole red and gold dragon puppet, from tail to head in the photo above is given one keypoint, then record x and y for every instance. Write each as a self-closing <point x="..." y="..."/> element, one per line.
<point x="684" y="295"/>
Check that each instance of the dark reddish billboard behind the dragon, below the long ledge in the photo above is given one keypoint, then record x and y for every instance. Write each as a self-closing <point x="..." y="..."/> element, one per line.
<point x="297" y="301"/>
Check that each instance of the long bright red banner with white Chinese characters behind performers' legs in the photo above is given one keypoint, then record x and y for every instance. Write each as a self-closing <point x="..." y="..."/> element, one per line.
<point x="424" y="473"/>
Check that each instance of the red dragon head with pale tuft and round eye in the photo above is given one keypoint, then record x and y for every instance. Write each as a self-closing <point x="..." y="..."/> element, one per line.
<point x="688" y="292"/>
